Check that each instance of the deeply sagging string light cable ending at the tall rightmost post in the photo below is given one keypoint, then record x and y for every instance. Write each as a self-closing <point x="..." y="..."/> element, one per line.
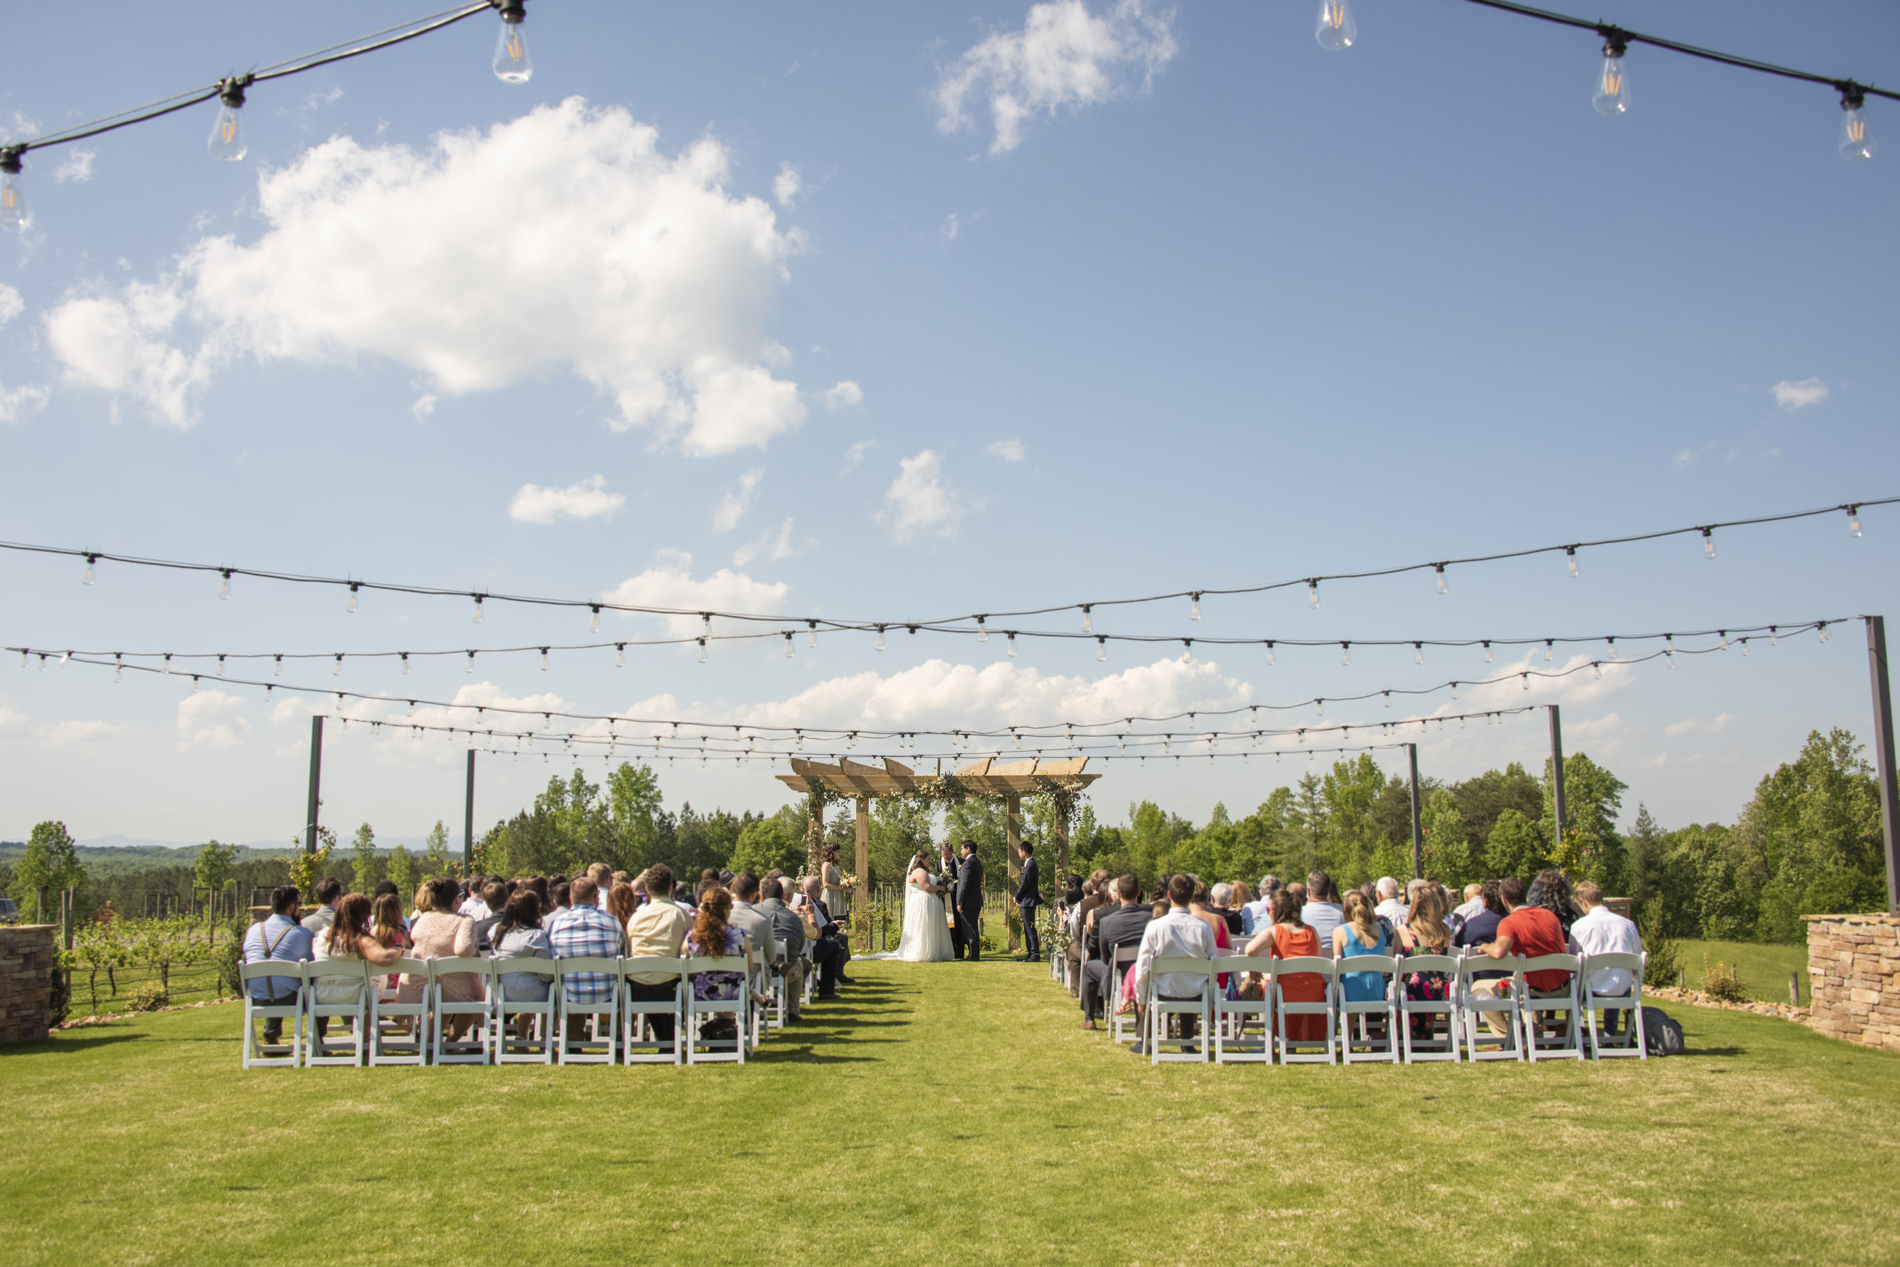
<point x="1124" y="728"/>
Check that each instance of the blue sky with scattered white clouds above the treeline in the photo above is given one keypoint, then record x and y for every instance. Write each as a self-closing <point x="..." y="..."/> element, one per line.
<point x="772" y="309"/>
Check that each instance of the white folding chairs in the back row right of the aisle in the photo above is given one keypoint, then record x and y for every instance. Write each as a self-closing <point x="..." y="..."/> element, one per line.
<point x="1559" y="1027"/>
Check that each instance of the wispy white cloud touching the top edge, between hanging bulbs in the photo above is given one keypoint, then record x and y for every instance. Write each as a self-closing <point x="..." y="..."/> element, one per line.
<point x="1063" y="58"/>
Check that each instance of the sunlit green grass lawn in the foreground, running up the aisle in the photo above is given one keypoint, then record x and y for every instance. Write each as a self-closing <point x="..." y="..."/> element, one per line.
<point x="949" y="1114"/>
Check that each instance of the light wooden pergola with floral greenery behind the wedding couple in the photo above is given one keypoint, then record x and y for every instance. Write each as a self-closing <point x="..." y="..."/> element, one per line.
<point x="1012" y="782"/>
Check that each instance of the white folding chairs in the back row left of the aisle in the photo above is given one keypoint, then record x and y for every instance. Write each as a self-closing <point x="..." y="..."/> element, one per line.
<point x="373" y="1031"/>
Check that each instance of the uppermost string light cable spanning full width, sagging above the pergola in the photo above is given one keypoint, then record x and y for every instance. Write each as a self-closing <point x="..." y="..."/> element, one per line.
<point x="976" y="624"/>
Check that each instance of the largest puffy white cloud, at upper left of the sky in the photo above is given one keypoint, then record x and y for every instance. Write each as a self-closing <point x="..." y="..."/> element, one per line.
<point x="561" y="240"/>
